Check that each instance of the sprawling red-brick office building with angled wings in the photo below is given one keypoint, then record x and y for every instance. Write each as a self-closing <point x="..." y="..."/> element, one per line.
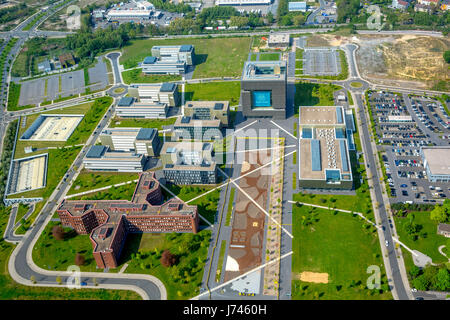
<point x="108" y="222"/>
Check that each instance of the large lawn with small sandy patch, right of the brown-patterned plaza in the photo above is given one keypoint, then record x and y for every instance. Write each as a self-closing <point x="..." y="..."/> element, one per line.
<point x="337" y="244"/>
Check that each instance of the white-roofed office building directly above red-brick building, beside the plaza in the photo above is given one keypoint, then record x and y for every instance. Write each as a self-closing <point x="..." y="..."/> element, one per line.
<point x="189" y="162"/>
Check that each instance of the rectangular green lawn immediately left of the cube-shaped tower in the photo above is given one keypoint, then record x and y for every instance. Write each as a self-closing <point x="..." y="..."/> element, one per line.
<point x="229" y="90"/>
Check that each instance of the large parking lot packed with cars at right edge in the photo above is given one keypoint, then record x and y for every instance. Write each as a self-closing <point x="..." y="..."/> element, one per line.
<point x="401" y="132"/>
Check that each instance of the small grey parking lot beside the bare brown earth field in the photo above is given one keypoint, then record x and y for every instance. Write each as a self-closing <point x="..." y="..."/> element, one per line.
<point x="321" y="62"/>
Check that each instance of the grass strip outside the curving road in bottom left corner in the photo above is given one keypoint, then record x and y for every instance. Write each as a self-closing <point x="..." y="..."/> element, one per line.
<point x="11" y="290"/>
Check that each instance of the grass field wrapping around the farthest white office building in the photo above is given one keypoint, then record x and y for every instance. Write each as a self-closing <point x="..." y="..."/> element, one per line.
<point x="211" y="60"/>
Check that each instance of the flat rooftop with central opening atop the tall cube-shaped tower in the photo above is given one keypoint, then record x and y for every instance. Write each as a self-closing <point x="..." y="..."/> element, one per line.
<point x="264" y="70"/>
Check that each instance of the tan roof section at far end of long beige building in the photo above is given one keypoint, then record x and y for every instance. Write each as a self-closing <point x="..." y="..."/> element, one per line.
<point x="320" y="116"/>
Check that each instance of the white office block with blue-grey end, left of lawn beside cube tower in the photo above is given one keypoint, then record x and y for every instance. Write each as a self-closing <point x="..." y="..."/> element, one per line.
<point x="159" y="93"/>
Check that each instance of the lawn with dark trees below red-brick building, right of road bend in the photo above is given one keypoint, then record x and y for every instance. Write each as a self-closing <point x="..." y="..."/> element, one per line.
<point x="183" y="280"/>
